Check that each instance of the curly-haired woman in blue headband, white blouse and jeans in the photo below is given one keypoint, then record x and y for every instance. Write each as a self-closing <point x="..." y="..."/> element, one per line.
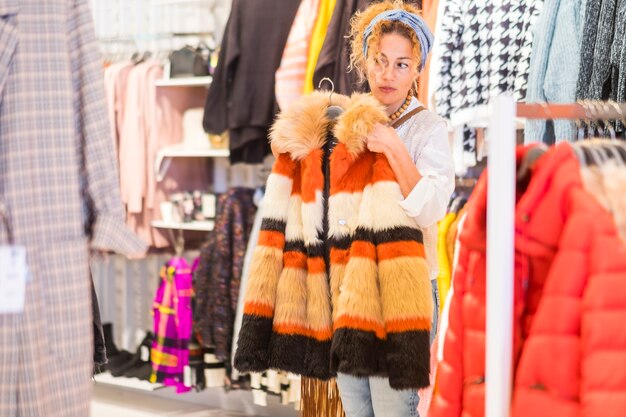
<point x="390" y="43"/>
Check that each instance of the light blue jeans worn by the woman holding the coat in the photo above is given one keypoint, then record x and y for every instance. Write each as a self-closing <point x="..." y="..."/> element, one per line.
<point x="373" y="397"/>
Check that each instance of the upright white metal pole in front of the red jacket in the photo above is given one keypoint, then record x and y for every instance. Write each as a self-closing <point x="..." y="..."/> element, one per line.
<point x="500" y="253"/>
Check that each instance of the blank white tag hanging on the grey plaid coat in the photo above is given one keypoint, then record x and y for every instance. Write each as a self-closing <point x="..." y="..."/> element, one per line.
<point x="13" y="276"/>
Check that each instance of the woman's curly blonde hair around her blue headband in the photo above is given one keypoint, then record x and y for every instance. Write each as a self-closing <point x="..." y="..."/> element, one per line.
<point x="360" y="21"/>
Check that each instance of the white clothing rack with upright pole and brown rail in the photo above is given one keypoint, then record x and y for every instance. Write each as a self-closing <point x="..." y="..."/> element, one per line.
<point x="501" y="118"/>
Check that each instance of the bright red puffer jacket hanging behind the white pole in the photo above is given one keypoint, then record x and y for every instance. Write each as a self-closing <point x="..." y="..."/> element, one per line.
<point x="570" y="303"/>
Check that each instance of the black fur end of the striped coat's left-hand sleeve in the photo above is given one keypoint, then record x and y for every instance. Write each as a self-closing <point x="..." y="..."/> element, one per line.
<point x="253" y="347"/>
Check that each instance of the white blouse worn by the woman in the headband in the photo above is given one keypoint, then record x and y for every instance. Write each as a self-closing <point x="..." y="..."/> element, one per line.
<point x="426" y="138"/>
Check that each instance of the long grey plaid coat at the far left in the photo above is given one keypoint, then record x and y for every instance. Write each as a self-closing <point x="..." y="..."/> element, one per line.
<point x="60" y="188"/>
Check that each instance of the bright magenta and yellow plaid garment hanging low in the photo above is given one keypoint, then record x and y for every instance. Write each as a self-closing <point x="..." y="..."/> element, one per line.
<point x="172" y="325"/>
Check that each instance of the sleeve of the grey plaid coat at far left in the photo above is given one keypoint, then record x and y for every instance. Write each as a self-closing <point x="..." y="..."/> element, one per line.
<point x="100" y="179"/>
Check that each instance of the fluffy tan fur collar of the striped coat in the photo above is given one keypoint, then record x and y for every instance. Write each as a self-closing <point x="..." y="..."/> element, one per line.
<point x="304" y="126"/>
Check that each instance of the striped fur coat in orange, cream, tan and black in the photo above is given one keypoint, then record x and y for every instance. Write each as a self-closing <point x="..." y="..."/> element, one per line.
<point x="368" y="312"/>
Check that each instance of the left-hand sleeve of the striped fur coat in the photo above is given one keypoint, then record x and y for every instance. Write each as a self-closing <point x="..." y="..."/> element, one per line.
<point x="253" y="350"/>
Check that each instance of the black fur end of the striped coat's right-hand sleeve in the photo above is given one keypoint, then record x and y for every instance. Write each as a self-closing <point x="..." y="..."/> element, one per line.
<point x="408" y="359"/>
